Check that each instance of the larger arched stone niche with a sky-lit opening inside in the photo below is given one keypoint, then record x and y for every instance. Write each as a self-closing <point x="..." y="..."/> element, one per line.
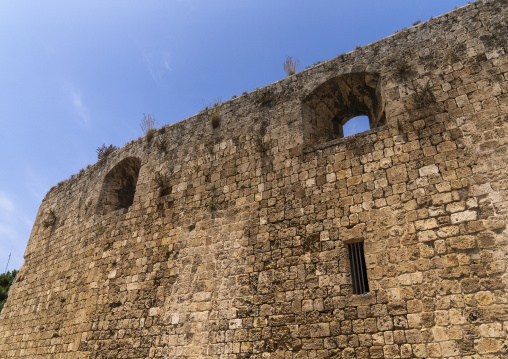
<point x="336" y="101"/>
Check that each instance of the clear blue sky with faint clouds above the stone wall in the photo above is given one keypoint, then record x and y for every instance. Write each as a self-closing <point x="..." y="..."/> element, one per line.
<point x="77" y="74"/>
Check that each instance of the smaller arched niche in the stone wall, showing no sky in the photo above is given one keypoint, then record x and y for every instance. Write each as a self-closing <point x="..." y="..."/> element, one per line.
<point x="119" y="186"/>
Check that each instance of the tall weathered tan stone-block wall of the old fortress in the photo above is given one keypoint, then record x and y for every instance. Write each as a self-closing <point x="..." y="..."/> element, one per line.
<point x="235" y="243"/>
